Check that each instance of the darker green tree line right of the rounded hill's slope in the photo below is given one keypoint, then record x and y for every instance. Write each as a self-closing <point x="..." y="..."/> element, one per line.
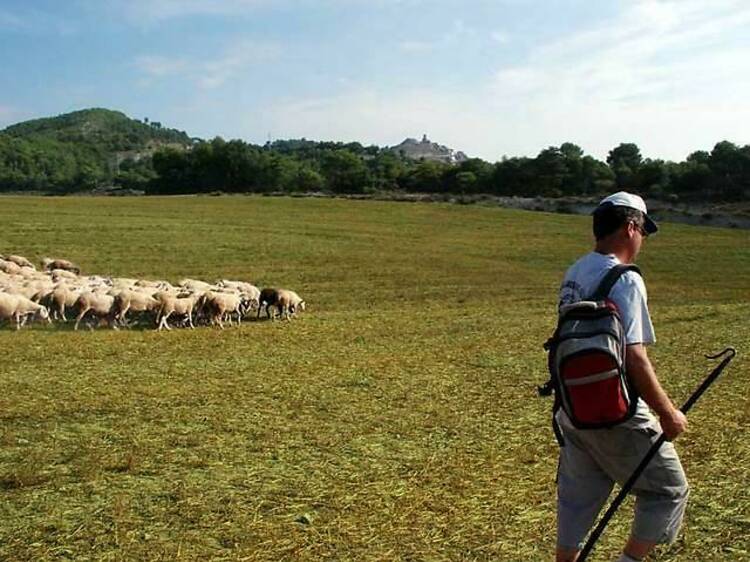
<point x="301" y="165"/>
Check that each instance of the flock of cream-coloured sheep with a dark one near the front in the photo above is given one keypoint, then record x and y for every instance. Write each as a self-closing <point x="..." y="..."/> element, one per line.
<point x="59" y="288"/>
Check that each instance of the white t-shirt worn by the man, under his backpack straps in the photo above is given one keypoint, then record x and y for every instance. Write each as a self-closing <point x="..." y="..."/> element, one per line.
<point x="628" y="293"/>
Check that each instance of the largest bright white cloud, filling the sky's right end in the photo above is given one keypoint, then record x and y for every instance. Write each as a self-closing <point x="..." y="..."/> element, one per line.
<point x="647" y="76"/>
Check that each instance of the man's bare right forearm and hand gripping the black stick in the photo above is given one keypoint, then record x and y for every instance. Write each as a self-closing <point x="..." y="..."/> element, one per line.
<point x="641" y="372"/>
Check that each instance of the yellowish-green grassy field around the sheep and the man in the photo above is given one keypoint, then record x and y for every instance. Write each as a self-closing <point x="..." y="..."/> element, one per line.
<point x="397" y="419"/>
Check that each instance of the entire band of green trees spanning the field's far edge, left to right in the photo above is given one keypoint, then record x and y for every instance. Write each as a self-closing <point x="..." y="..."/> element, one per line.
<point x="58" y="165"/>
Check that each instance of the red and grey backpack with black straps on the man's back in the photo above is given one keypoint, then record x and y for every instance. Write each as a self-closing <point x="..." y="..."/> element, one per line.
<point x="586" y="361"/>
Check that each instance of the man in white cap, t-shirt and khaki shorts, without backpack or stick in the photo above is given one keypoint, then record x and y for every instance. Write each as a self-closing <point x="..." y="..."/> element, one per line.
<point x="593" y="459"/>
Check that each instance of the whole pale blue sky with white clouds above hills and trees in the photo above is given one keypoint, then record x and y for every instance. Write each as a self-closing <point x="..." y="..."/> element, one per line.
<point x="489" y="77"/>
